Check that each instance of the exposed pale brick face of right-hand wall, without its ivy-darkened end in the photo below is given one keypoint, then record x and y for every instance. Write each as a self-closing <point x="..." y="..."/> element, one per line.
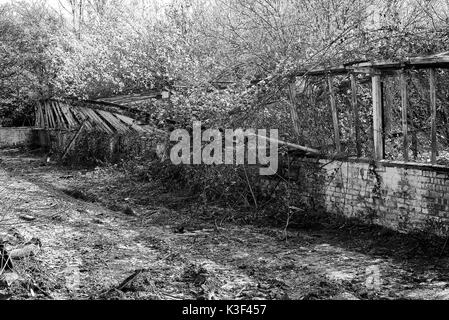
<point x="405" y="199"/>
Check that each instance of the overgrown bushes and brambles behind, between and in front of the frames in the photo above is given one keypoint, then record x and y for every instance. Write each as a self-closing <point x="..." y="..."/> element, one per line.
<point x="227" y="63"/>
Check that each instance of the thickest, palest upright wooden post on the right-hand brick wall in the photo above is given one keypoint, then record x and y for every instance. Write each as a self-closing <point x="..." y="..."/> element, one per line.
<point x="377" y="118"/>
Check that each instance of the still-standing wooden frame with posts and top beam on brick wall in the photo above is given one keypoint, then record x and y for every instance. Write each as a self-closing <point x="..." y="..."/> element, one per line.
<point x="376" y="70"/>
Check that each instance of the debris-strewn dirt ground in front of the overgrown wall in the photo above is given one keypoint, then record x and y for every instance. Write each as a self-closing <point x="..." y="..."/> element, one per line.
<point x="103" y="241"/>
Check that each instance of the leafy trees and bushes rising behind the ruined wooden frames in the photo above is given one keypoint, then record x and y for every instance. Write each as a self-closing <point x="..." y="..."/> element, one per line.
<point x="91" y="49"/>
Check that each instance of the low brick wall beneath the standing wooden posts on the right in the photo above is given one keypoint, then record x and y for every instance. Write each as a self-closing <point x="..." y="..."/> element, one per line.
<point x="402" y="196"/>
